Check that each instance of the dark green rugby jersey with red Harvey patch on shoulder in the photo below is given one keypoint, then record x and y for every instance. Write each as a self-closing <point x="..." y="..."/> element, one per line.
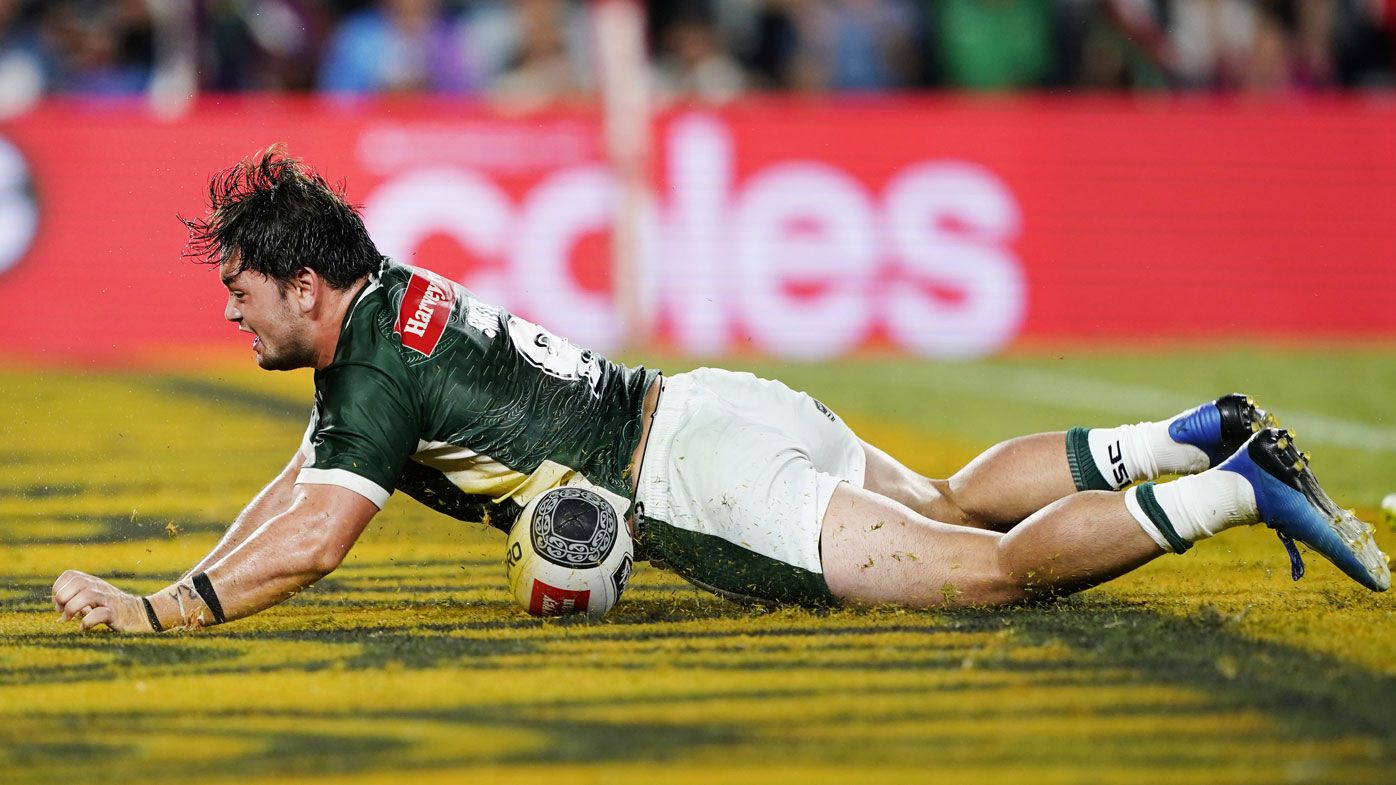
<point x="466" y="407"/>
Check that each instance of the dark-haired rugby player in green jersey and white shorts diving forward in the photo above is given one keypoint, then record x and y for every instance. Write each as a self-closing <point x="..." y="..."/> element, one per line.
<point x="738" y="484"/>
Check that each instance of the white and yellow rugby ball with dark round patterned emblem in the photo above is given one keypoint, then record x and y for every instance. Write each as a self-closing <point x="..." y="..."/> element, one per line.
<point x="569" y="552"/>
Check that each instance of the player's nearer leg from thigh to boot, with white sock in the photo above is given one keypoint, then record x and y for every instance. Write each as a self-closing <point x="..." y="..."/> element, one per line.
<point x="879" y="551"/>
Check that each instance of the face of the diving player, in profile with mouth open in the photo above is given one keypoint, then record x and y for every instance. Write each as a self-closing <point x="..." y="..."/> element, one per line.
<point x="258" y="305"/>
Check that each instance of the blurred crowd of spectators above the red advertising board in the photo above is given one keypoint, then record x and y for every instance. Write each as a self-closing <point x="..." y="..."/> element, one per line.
<point x="699" y="50"/>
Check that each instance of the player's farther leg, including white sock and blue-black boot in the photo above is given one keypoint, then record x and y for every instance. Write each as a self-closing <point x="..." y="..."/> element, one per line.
<point x="1014" y="480"/>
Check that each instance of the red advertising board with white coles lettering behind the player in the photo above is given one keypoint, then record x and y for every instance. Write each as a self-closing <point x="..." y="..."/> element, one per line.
<point x="942" y="227"/>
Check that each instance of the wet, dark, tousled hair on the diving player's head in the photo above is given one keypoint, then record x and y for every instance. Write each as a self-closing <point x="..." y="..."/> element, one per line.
<point x="281" y="219"/>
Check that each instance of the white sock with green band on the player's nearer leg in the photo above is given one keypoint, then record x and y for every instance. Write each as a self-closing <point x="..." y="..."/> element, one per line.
<point x="1179" y="513"/>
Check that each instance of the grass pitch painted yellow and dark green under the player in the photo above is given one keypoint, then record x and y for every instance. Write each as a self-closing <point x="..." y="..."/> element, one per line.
<point x="413" y="660"/>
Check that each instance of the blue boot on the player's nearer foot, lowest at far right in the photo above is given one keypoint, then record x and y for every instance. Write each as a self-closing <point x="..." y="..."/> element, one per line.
<point x="1292" y="502"/>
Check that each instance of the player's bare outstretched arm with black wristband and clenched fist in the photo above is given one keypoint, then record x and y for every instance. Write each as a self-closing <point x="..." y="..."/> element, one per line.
<point x="287" y="554"/>
